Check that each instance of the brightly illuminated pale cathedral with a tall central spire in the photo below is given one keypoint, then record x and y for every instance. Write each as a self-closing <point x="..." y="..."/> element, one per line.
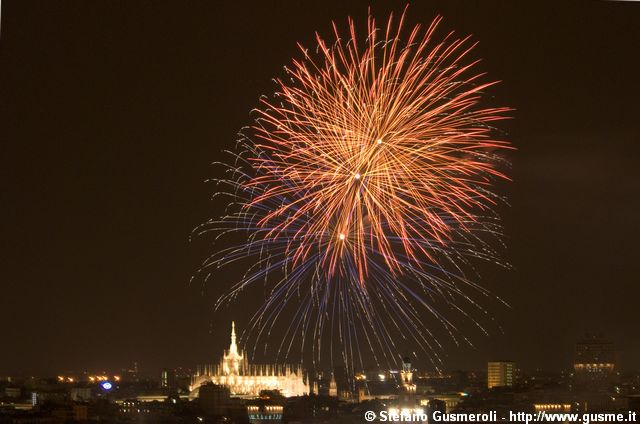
<point x="243" y="379"/>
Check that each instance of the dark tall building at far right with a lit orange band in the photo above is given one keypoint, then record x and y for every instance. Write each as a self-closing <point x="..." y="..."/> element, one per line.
<point x="594" y="361"/>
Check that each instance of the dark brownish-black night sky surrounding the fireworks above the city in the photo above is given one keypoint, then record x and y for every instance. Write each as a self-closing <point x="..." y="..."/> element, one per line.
<point x="112" y="113"/>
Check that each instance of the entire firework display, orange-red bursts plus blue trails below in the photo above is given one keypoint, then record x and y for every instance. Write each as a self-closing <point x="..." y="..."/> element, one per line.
<point x="361" y="194"/>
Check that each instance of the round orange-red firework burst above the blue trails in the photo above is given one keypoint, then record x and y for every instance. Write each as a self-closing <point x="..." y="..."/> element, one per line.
<point x="380" y="148"/>
